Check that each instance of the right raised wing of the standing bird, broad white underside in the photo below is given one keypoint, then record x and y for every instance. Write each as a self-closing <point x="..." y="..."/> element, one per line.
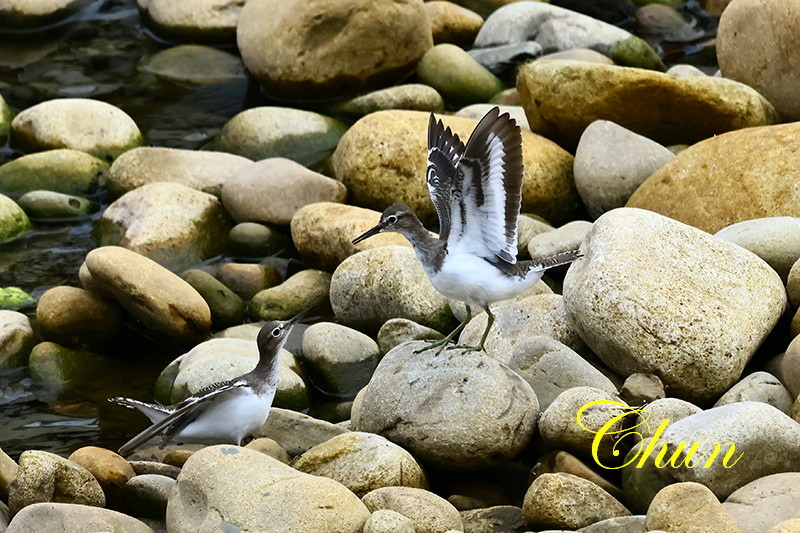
<point x="486" y="192"/>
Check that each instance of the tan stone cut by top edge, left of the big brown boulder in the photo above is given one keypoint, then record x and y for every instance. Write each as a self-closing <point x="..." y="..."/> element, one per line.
<point x="193" y="20"/>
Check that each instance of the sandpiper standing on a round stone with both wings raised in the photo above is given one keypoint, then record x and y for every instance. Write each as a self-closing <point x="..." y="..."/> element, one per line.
<point x="477" y="193"/>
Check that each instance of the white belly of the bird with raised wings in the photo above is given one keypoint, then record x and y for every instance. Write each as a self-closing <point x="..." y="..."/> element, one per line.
<point x="477" y="282"/>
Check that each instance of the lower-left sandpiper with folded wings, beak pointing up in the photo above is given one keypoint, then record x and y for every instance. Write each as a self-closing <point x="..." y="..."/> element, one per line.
<point x="222" y="413"/>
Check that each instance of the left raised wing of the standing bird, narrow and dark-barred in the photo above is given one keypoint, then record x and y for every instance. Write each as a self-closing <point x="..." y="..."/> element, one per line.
<point x="444" y="152"/>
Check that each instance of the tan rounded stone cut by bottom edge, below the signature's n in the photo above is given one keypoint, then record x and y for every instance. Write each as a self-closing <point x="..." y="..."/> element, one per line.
<point x="688" y="507"/>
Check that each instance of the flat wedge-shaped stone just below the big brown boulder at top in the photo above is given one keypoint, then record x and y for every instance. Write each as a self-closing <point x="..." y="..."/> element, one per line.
<point x="413" y="96"/>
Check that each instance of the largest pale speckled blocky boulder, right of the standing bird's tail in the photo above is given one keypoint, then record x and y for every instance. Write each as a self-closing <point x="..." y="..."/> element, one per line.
<point x="641" y="300"/>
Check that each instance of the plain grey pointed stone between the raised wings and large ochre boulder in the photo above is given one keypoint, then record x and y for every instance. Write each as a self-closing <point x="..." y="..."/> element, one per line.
<point x="610" y="164"/>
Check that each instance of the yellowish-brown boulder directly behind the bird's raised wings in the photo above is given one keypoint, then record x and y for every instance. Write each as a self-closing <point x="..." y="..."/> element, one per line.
<point x="382" y="161"/>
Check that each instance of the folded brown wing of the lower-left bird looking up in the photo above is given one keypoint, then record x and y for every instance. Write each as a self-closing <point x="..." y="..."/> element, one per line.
<point x="181" y="413"/>
